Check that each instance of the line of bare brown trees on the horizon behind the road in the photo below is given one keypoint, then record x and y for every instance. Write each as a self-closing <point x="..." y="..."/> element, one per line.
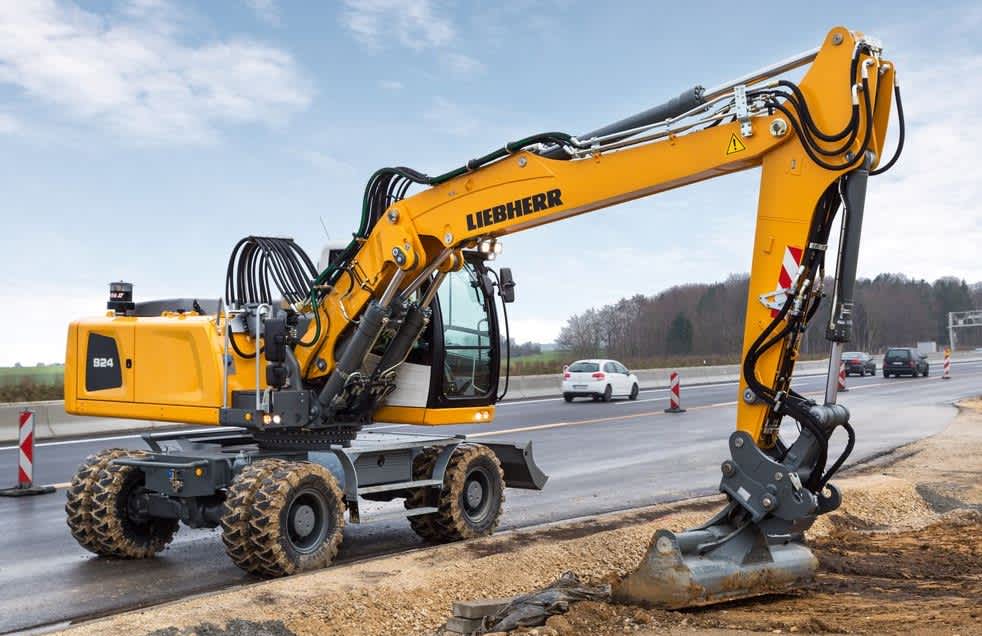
<point x="707" y="319"/>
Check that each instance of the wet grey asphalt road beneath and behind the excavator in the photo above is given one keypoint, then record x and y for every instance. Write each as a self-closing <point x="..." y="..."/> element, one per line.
<point x="600" y="458"/>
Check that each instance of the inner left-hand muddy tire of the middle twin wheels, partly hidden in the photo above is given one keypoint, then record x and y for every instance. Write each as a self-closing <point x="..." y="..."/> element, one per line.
<point x="237" y="512"/>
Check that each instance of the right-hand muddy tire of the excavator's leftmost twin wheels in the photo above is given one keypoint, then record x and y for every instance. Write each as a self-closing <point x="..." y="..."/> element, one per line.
<point x="119" y="529"/>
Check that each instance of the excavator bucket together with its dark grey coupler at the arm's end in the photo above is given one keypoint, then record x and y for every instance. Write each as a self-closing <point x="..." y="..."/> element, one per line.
<point x="755" y="545"/>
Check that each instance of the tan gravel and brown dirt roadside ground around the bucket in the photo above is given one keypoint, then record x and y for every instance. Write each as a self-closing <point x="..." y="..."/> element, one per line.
<point x="903" y="554"/>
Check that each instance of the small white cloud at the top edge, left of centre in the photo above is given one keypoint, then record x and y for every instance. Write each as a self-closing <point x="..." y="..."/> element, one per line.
<point x="416" y="24"/>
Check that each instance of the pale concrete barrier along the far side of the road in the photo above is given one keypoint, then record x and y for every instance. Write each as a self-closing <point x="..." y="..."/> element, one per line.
<point x="52" y="421"/>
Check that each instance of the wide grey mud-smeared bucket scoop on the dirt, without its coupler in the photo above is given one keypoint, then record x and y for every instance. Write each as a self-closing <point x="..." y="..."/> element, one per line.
<point x="674" y="575"/>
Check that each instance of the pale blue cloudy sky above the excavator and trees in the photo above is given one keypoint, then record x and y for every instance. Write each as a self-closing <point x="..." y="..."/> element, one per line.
<point x="140" y="140"/>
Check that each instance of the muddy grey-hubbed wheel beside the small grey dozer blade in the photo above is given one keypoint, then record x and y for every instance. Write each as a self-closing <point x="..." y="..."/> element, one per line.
<point x="471" y="500"/>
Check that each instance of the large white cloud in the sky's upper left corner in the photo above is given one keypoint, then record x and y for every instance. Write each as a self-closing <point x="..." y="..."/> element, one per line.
<point x="138" y="72"/>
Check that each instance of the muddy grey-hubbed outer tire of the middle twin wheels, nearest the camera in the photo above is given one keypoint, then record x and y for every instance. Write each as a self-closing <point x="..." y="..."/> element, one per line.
<point x="297" y="520"/>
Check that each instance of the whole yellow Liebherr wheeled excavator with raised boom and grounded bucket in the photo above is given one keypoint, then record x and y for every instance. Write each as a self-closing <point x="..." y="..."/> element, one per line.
<point x="288" y="373"/>
